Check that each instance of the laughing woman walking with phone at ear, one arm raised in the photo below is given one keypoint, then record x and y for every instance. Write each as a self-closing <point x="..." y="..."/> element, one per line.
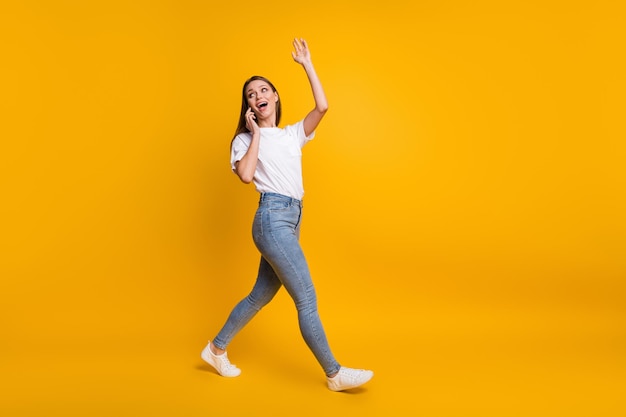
<point x="270" y="157"/>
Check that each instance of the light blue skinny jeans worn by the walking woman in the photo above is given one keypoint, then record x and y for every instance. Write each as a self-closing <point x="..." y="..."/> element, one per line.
<point x="276" y="230"/>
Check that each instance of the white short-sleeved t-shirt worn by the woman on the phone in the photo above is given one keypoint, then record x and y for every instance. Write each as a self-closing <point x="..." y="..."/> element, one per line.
<point x="279" y="167"/>
